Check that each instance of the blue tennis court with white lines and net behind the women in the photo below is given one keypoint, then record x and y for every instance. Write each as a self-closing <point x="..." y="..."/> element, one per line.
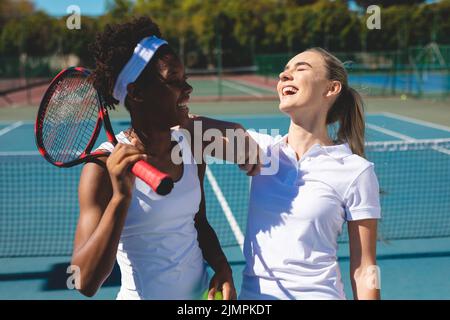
<point x="38" y="210"/>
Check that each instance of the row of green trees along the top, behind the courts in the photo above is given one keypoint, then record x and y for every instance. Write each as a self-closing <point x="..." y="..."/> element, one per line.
<point x="195" y="27"/>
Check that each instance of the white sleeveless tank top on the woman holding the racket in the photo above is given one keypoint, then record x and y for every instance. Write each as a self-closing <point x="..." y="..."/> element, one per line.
<point x="158" y="254"/>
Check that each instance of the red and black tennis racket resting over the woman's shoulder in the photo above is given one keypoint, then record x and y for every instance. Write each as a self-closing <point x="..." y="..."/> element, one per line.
<point x="69" y="121"/>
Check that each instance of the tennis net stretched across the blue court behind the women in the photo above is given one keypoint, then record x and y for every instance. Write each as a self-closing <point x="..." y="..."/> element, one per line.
<point x="39" y="206"/>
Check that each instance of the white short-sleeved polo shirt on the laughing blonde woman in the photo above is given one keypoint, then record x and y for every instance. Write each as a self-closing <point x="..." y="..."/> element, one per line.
<point x="296" y="215"/>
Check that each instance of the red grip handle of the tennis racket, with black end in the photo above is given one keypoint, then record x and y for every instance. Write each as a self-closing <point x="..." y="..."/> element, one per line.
<point x="160" y="182"/>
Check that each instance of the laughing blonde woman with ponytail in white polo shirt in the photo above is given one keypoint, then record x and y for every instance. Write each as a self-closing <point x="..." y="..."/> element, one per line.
<point x="296" y="215"/>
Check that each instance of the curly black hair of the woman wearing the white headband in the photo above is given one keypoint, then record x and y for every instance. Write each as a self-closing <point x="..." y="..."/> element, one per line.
<point x="113" y="48"/>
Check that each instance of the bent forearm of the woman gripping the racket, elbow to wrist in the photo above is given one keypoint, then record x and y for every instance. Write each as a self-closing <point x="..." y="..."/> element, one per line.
<point x="95" y="259"/>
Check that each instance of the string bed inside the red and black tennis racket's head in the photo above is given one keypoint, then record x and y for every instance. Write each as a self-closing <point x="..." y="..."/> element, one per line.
<point x="70" y="118"/>
